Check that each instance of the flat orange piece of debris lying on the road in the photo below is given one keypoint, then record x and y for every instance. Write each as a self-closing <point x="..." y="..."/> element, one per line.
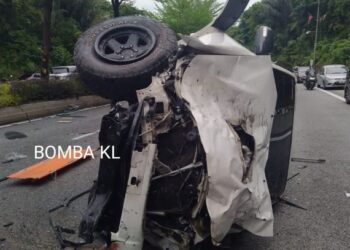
<point x="47" y="167"/>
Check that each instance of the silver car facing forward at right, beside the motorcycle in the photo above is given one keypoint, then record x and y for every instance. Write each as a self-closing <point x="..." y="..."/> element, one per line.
<point x="332" y="76"/>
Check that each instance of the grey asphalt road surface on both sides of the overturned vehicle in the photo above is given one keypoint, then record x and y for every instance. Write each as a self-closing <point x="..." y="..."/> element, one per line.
<point x="321" y="131"/>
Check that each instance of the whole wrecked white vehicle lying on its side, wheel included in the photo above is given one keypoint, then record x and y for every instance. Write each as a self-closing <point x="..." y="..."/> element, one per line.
<point x="203" y="128"/>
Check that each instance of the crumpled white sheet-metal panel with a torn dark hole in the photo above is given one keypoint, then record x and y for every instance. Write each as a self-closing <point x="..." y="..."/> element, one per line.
<point x="222" y="92"/>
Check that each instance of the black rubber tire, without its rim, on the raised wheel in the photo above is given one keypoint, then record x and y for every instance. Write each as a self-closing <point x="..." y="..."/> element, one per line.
<point x="117" y="81"/>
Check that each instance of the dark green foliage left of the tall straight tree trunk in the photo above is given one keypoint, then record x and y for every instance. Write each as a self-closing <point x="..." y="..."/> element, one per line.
<point x="20" y="37"/>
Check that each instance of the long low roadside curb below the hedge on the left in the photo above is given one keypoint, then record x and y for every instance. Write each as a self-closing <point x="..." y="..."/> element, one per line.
<point x="39" y="109"/>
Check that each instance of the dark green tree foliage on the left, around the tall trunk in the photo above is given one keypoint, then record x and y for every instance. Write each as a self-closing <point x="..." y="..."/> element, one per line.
<point x="21" y="31"/>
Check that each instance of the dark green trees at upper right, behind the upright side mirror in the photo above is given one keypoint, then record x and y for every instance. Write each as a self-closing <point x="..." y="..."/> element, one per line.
<point x="294" y="25"/>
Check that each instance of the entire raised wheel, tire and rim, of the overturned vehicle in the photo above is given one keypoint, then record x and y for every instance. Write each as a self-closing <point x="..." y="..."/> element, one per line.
<point x="115" y="72"/>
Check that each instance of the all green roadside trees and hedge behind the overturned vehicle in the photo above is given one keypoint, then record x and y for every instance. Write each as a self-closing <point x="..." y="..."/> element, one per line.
<point x="293" y="22"/>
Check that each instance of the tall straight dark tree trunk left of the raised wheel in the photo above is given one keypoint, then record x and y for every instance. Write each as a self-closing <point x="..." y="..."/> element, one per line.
<point x="45" y="72"/>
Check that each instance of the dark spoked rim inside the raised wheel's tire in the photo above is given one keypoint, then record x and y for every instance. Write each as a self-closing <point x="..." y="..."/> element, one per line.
<point x="125" y="44"/>
